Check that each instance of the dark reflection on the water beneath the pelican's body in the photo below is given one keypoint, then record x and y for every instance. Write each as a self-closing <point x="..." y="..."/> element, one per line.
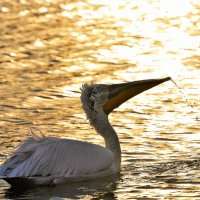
<point x="98" y="189"/>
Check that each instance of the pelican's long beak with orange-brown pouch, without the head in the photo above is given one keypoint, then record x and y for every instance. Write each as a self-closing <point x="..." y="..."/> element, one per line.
<point x="119" y="93"/>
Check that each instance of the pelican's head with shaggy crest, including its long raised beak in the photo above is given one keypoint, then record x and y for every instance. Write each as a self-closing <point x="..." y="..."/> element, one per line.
<point x="99" y="100"/>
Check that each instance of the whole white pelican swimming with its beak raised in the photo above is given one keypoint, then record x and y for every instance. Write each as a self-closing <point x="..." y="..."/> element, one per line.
<point x="42" y="160"/>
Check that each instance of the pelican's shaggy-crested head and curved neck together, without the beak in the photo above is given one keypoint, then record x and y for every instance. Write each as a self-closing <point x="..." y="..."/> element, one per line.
<point x="92" y="104"/>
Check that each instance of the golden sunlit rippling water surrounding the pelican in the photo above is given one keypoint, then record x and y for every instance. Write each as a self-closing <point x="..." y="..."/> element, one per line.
<point x="48" y="48"/>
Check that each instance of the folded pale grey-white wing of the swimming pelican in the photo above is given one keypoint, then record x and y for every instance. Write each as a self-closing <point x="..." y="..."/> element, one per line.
<point x="49" y="156"/>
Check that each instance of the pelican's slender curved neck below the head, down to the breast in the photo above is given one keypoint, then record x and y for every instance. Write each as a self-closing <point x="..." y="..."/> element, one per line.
<point x="105" y="129"/>
